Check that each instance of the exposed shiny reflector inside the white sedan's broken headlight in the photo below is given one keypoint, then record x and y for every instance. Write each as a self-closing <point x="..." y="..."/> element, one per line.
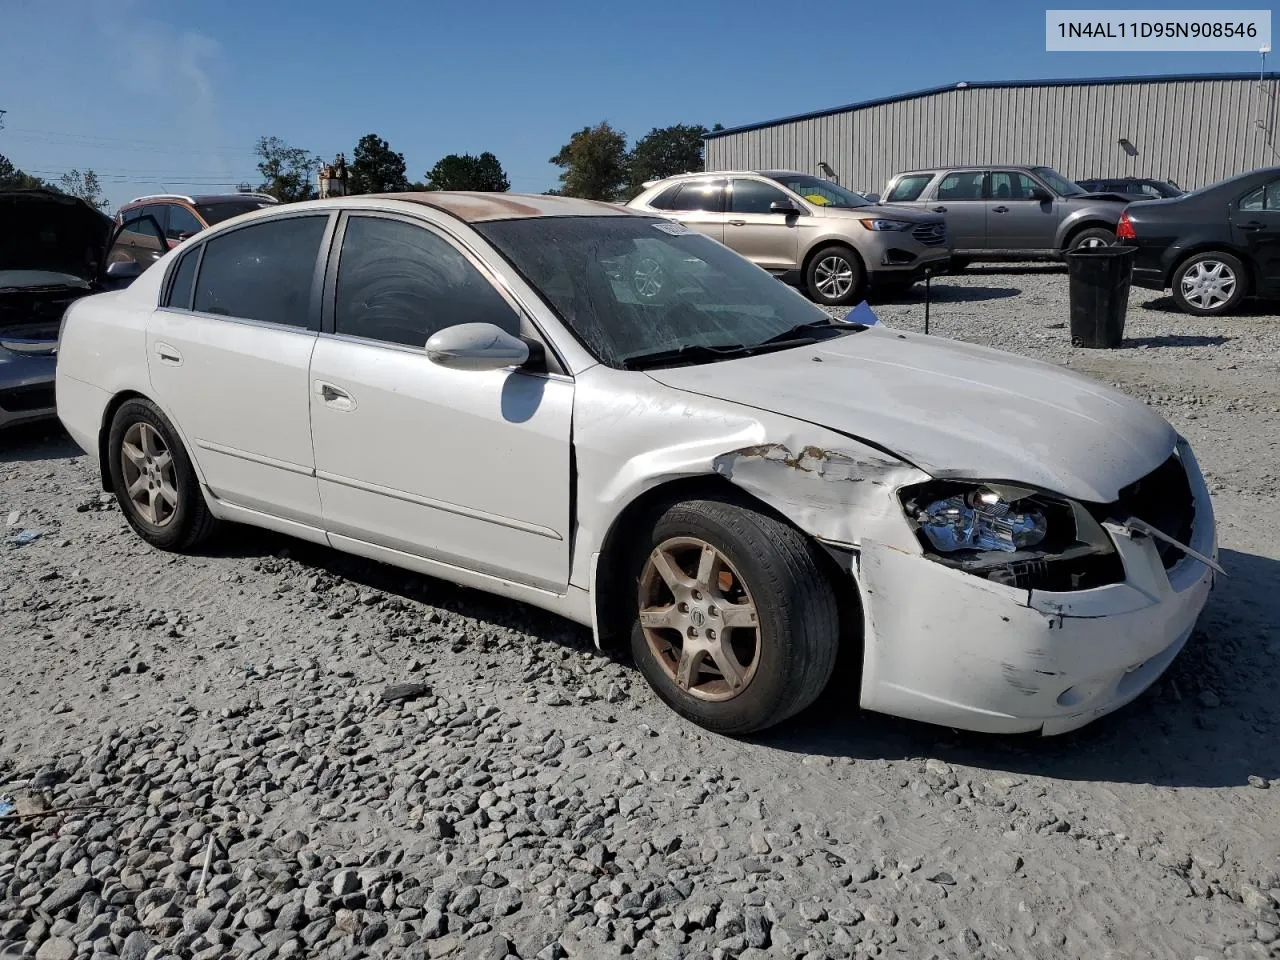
<point x="982" y="520"/>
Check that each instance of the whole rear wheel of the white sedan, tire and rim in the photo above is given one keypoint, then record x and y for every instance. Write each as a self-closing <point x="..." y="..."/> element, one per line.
<point x="153" y="479"/>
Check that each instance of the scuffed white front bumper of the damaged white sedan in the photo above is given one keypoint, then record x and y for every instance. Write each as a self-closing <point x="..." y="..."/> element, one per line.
<point x="950" y="648"/>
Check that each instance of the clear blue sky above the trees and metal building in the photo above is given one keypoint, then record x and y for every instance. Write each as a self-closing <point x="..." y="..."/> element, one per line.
<point x="173" y="95"/>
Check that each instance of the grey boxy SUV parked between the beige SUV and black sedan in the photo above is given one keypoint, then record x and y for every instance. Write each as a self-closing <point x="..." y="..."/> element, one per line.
<point x="1008" y="212"/>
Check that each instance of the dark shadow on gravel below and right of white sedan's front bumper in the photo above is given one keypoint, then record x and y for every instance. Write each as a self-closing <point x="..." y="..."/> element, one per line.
<point x="1212" y="721"/>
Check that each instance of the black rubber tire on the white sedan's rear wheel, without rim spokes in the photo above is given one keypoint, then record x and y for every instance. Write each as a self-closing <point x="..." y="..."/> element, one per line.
<point x="189" y="522"/>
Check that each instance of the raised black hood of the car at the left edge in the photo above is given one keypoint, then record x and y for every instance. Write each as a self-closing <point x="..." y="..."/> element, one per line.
<point x="45" y="231"/>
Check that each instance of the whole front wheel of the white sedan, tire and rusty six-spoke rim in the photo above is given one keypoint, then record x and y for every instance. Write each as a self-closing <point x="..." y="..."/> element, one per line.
<point x="737" y="625"/>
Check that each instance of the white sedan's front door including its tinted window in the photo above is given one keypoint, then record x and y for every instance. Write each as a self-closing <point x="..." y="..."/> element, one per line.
<point x="470" y="469"/>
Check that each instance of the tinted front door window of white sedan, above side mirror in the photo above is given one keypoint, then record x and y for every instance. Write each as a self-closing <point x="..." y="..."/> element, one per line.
<point x="400" y="284"/>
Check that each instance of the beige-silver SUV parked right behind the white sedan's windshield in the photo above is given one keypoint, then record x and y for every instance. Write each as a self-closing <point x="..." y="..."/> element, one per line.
<point x="806" y="230"/>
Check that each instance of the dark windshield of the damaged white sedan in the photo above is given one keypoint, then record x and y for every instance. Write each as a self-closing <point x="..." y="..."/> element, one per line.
<point x="632" y="286"/>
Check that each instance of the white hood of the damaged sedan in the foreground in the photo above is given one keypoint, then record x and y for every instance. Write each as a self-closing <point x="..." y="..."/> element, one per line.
<point x="952" y="409"/>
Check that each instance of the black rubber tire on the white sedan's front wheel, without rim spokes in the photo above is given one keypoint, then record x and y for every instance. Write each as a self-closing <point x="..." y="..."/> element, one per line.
<point x="797" y="633"/>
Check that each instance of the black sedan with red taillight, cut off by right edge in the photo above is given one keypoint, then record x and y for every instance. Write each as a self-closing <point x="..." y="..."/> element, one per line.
<point x="1213" y="248"/>
